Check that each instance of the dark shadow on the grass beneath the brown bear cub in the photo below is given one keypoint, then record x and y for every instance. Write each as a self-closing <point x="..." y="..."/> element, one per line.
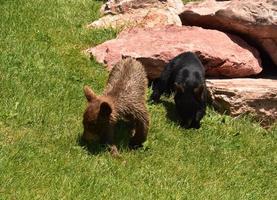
<point x="122" y="136"/>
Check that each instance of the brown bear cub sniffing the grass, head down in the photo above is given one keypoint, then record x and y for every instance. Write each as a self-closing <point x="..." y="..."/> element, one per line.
<point x="123" y="98"/>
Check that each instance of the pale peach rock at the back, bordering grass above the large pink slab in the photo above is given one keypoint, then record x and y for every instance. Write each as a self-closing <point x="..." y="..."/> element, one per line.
<point x="142" y="13"/>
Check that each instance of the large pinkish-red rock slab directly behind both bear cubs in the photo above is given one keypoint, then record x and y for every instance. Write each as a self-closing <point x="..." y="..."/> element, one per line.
<point x="221" y="54"/>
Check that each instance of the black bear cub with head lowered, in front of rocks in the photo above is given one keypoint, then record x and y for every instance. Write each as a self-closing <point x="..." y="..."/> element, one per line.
<point x="184" y="75"/>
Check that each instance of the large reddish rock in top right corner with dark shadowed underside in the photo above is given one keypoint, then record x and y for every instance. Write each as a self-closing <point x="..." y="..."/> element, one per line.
<point x="255" y="20"/>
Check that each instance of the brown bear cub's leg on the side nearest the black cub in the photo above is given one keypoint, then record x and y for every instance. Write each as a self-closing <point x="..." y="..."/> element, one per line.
<point x="141" y="131"/>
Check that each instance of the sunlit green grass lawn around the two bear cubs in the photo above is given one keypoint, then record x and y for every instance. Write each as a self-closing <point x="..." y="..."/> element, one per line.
<point x="42" y="72"/>
